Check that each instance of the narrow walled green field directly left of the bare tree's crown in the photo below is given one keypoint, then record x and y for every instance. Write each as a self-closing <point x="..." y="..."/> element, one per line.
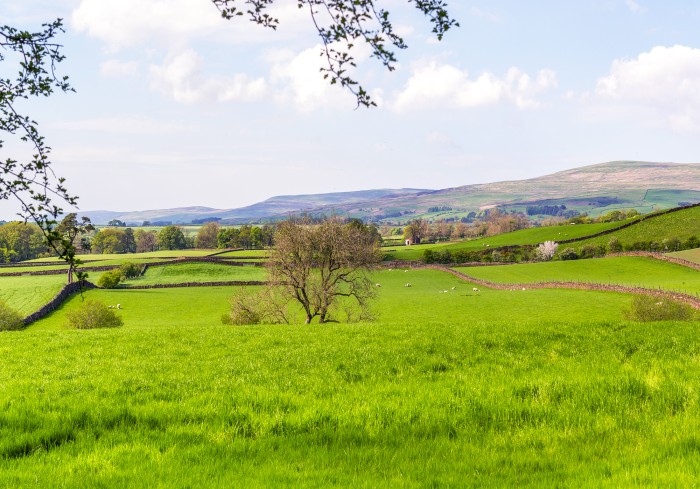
<point x="198" y="272"/>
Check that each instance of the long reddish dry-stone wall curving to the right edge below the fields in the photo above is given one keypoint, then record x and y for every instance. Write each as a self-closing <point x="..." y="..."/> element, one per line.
<point x="691" y="300"/>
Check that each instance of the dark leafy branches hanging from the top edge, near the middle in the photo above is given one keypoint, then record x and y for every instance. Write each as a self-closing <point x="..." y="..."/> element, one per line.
<point x="342" y="25"/>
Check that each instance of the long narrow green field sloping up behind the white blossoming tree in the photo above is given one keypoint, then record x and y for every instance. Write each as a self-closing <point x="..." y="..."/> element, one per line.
<point x="530" y="236"/>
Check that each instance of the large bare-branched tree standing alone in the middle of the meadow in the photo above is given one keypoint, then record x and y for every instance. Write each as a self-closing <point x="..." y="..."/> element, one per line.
<point x="316" y="265"/>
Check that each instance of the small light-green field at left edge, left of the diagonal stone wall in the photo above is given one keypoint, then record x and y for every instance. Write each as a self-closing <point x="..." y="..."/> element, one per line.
<point x="27" y="294"/>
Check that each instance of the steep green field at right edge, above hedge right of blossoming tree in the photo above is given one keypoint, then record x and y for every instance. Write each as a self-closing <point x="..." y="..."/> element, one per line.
<point x="681" y="224"/>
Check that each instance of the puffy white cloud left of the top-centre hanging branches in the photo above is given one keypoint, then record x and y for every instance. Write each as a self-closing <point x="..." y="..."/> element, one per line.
<point x="180" y="77"/>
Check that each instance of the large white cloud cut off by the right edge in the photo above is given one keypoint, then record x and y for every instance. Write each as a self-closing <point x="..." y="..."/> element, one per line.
<point x="665" y="80"/>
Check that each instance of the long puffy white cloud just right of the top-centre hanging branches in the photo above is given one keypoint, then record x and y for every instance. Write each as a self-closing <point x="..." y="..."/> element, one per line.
<point x="436" y="85"/>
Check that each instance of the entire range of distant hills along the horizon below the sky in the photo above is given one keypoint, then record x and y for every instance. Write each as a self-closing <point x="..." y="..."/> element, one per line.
<point x="594" y="189"/>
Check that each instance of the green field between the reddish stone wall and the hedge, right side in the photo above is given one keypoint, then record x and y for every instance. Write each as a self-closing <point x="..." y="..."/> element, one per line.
<point x="618" y="270"/>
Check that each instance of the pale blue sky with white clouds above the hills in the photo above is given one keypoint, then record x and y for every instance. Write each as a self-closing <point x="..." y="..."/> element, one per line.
<point x="175" y="106"/>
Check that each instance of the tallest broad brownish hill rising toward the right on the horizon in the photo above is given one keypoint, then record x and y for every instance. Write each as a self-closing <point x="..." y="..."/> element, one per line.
<point x="593" y="189"/>
